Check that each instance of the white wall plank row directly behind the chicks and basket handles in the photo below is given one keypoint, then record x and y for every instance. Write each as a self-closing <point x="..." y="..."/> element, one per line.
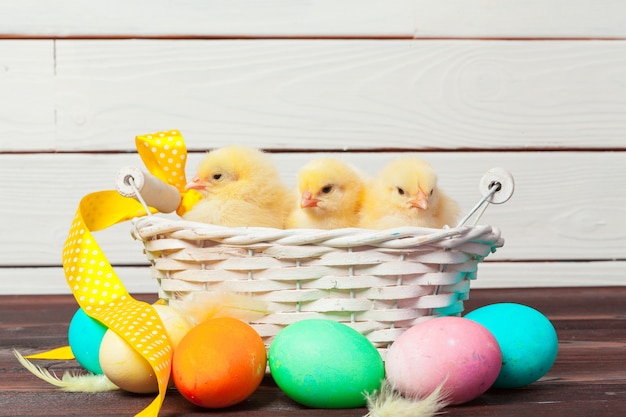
<point x="561" y="209"/>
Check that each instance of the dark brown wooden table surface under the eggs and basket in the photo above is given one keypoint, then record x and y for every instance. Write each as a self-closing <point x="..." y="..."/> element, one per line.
<point x="588" y="378"/>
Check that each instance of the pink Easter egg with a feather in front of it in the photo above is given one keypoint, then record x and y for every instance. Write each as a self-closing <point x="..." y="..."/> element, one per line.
<point x="460" y="353"/>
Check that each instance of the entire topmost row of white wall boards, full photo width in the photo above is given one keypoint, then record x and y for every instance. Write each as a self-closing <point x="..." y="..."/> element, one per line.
<point x="318" y="18"/>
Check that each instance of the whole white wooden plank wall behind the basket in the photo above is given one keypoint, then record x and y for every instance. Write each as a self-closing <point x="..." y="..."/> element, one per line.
<point x="534" y="86"/>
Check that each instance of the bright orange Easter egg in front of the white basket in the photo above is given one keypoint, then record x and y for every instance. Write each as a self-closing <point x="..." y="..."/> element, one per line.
<point x="219" y="363"/>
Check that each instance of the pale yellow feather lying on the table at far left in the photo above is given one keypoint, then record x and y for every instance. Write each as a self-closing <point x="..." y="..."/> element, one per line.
<point x="72" y="382"/>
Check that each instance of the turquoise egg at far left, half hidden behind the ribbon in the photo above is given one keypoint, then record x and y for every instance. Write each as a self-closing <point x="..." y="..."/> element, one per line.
<point x="85" y="336"/>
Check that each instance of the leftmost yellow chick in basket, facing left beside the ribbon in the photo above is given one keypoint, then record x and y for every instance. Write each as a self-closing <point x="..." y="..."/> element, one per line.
<point x="240" y="187"/>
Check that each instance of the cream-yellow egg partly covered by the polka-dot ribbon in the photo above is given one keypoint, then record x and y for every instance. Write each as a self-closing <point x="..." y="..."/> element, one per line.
<point x="125" y="367"/>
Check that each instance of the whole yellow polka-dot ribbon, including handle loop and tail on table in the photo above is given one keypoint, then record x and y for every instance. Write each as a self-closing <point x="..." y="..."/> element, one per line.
<point x="91" y="278"/>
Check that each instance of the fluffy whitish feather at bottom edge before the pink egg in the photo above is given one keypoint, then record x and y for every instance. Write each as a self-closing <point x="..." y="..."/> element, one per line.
<point x="387" y="402"/>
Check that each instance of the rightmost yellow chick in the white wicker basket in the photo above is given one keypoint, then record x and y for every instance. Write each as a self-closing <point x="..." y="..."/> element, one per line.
<point x="405" y="193"/>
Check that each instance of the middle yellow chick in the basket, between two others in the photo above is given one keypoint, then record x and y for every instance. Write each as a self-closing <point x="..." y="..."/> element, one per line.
<point x="329" y="196"/>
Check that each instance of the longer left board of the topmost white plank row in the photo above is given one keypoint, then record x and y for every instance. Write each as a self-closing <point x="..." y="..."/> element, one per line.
<point x="208" y="18"/>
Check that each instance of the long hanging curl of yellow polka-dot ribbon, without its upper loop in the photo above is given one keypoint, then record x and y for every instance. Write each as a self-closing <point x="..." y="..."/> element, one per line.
<point x="100" y="292"/>
